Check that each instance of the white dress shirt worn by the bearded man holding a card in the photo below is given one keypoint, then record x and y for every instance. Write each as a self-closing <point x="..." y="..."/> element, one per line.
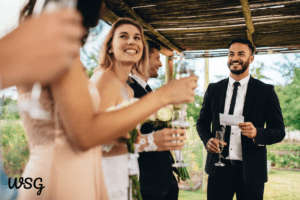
<point x="235" y="145"/>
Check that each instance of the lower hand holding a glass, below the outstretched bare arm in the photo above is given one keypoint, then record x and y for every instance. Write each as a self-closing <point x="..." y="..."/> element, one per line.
<point x="165" y="139"/>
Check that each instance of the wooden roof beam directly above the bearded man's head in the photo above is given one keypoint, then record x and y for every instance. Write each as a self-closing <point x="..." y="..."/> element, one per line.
<point x="248" y="19"/>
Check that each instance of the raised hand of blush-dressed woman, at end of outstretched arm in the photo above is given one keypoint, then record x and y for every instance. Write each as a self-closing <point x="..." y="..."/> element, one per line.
<point x="179" y="91"/>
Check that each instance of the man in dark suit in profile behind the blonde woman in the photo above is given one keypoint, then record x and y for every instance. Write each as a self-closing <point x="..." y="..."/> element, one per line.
<point x="156" y="172"/>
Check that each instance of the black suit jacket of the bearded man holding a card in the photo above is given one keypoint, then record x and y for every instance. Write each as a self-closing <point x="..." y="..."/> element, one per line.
<point x="261" y="106"/>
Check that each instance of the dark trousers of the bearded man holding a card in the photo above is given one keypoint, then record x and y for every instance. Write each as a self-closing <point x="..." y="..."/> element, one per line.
<point x="228" y="180"/>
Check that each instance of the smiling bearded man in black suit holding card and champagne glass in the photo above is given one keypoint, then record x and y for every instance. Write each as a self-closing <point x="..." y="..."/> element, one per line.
<point x="245" y="170"/>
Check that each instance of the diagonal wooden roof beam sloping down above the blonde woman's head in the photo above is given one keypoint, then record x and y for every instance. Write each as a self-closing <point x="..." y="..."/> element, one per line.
<point x="158" y="36"/>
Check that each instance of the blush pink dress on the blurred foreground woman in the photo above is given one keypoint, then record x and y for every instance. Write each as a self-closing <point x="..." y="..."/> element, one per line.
<point x="66" y="172"/>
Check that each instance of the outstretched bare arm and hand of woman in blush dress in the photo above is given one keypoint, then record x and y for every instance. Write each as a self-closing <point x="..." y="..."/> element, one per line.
<point x="88" y="129"/>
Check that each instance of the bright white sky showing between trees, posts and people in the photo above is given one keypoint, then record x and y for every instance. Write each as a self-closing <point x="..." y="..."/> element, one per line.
<point x="9" y="12"/>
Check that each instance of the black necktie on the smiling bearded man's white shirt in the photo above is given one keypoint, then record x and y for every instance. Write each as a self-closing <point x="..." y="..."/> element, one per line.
<point x="231" y="110"/>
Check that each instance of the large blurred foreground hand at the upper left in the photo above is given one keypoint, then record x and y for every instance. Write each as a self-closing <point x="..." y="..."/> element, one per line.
<point x="41" y="49"/>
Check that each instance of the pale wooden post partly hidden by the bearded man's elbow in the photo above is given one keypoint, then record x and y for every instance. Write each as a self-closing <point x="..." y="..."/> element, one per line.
<point x="206" y="83"/>
